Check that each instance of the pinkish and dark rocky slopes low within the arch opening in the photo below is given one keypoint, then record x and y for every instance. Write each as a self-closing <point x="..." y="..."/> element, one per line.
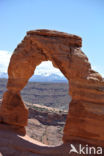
<point x="46" y="124"/>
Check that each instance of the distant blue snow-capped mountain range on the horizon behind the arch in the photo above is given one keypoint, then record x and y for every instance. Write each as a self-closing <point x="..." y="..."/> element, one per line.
<point x="42" y="78"/>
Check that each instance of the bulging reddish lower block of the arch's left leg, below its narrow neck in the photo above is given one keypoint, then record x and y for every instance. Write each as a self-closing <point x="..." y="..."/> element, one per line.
<point x="13" y="112"/>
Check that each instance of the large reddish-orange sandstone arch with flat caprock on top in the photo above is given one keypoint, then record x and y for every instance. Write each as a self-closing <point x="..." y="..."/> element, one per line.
<point x="85" y="118"/>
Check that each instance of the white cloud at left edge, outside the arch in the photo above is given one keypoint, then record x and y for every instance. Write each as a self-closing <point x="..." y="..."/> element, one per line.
<point x="4" y="60"/>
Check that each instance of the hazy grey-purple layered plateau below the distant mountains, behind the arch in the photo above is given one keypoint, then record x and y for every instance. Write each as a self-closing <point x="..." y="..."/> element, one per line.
<point x="53" y="95"/>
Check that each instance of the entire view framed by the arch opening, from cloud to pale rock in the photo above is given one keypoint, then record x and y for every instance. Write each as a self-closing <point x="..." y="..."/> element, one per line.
<point x="47" y="98"/>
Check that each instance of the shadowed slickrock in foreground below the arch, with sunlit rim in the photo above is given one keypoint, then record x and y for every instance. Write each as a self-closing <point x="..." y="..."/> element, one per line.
<point x="12" y="144"/>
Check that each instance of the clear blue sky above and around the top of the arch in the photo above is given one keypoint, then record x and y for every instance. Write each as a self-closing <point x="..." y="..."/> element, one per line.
<point x="81" y="17"/>
